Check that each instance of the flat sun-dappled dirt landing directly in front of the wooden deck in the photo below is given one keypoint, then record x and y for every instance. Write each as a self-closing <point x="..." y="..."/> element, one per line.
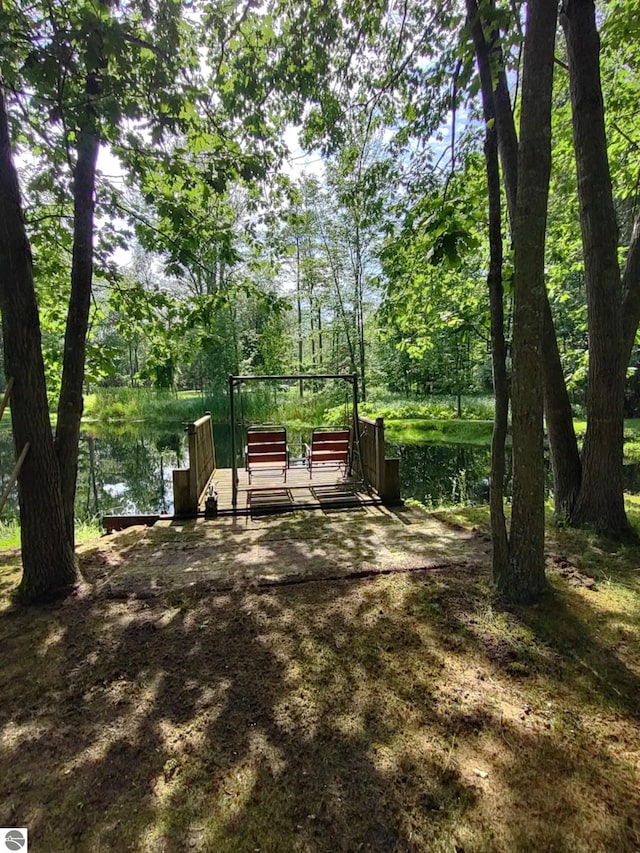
<point x="228" y="553"/>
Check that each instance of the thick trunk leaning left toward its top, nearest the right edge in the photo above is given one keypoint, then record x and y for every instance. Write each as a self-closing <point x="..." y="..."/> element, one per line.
<point x="600" y="501"/>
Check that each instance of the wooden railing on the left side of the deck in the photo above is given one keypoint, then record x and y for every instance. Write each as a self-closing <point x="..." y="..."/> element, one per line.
<point x="189" y="484"/>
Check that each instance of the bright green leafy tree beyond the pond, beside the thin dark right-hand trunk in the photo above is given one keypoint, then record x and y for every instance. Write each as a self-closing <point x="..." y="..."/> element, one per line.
<point x="434" y="303"/>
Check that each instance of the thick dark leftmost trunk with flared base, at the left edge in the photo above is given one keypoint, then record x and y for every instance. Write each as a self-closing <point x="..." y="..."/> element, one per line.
<point x="47" y="556"/>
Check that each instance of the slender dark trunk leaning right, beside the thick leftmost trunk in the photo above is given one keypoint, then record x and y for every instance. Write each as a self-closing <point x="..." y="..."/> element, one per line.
<point x="70" y="404"/>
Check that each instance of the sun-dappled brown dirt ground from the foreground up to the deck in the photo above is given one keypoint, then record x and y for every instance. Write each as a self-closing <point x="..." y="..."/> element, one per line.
<point x="338" y="684"/>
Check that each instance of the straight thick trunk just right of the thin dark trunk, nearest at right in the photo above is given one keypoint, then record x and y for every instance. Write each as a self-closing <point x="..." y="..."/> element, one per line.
<point x="525" y="580"/>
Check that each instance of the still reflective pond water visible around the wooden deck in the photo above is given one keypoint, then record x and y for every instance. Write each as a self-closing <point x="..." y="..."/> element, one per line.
<point x="129" y="470"/>
